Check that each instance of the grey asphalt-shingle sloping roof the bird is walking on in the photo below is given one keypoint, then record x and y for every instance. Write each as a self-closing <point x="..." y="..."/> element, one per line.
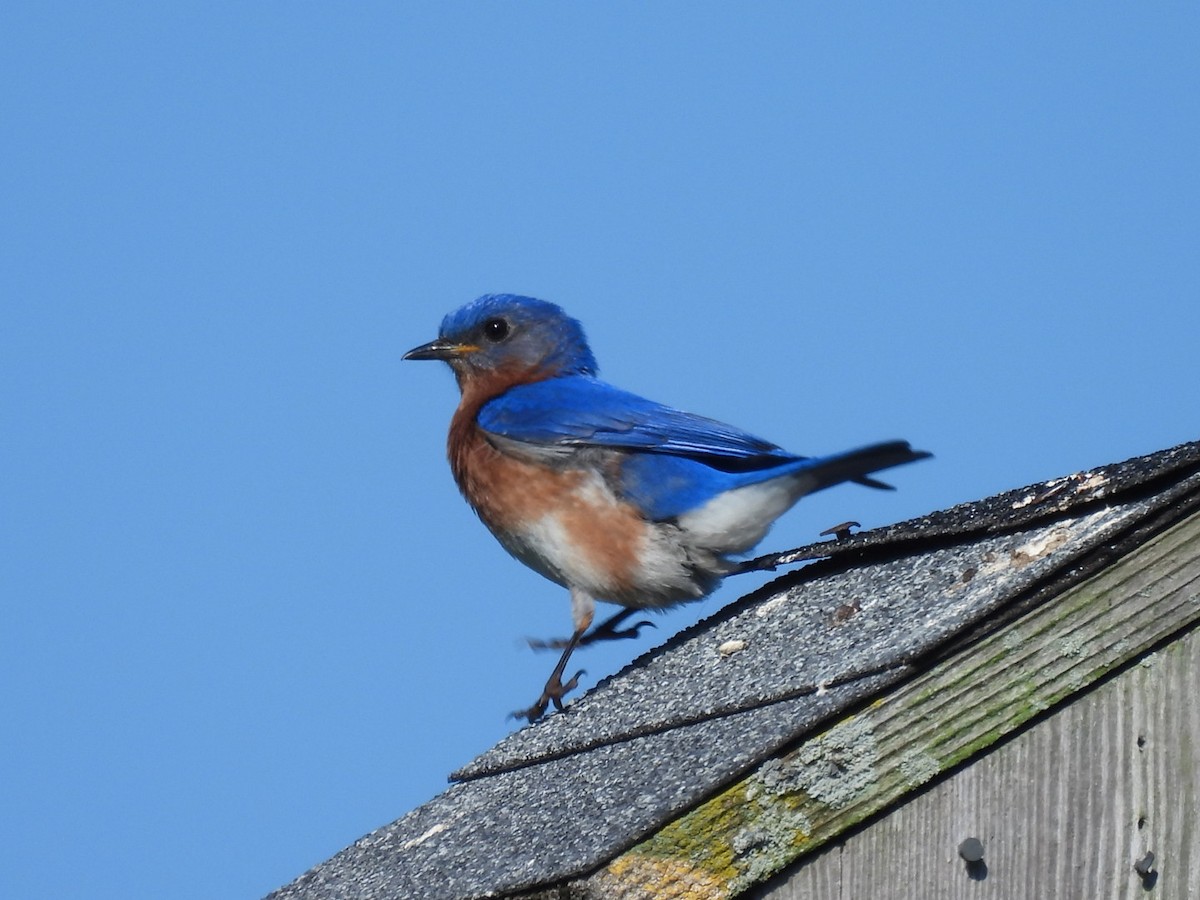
<point x="557" y="801"/>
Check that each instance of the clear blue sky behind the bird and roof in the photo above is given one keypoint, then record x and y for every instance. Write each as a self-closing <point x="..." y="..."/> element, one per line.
<point x="247" y="617"/>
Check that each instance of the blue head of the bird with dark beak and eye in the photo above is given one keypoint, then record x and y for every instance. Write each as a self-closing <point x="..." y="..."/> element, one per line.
<point x="509" y="337"/>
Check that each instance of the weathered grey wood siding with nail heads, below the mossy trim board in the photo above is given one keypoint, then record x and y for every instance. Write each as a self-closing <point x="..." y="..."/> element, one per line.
<point x="1064" y="811"/>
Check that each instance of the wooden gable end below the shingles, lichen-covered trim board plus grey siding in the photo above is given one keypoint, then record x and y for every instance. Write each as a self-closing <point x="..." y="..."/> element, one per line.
<point x="961" y="711"/>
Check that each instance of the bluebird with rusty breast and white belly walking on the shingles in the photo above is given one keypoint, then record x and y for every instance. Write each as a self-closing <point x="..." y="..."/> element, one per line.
<point x="615" y="497"/>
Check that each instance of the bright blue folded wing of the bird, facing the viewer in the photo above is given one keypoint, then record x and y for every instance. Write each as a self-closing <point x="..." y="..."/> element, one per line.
<point x="581" y="411"/>
